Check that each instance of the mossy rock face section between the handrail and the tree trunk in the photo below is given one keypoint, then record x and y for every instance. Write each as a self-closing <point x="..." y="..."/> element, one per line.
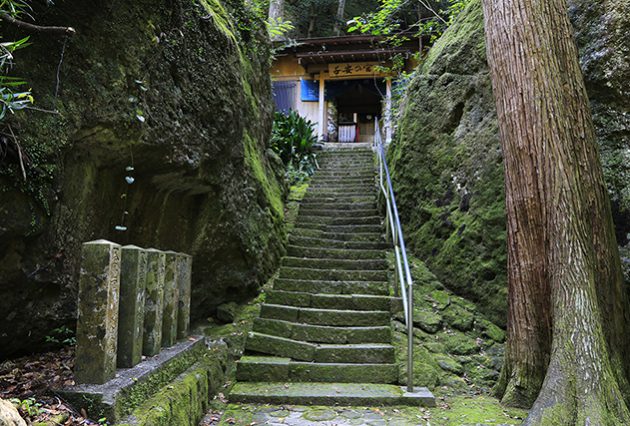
<point x="446" y="164"/>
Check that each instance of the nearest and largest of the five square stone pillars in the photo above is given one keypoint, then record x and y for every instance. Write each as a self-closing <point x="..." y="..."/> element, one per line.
<point x="97" y="322"/>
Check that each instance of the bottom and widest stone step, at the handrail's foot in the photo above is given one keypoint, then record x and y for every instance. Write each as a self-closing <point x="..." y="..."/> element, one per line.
<point x="351" y="394"/>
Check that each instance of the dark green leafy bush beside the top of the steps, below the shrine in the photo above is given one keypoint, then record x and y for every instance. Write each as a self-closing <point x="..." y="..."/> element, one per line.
<point x="292" y="138"/>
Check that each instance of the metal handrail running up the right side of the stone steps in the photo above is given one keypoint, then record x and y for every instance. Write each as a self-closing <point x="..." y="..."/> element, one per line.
<point x="395" y="229"/>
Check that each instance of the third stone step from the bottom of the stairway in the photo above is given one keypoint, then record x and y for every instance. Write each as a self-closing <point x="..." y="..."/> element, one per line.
<point x="361" y="353"/>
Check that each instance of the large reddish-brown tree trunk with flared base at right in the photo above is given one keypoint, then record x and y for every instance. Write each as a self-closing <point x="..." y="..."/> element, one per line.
<point x="560" y="229"/>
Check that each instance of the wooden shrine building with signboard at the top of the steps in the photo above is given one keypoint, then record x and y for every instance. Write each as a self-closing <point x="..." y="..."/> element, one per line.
<point x="339" y="83"/>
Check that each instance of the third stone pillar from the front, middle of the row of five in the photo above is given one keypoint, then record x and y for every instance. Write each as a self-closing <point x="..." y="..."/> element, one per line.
<point x="153" y="302"/>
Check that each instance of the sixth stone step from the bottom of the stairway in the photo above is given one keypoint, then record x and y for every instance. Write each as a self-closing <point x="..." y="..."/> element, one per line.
<point x="366" y="302"/>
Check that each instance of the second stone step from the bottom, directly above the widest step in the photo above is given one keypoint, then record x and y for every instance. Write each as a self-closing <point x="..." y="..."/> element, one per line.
<point x="274" y="369"/>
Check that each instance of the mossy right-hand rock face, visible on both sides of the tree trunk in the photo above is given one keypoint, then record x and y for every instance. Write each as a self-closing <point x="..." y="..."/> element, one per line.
<point x="447" y="163"/>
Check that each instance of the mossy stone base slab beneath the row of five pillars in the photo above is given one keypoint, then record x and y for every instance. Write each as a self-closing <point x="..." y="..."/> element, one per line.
<point x="131" y="386"/>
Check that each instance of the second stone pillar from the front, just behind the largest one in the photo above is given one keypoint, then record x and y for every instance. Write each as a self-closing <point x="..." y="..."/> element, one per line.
<point x="133" y="274"/>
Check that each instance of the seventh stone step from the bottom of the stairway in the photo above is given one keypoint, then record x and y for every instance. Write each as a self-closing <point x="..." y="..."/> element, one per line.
<point x="332" y="287"/>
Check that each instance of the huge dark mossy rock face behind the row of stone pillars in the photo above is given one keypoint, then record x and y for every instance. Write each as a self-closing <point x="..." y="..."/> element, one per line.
<point x="164" y="115"/>
